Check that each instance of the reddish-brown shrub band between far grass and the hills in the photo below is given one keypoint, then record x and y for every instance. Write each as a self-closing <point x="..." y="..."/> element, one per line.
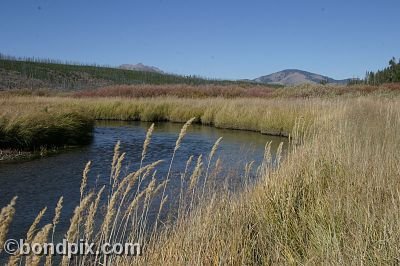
<point x="236" y="91"/>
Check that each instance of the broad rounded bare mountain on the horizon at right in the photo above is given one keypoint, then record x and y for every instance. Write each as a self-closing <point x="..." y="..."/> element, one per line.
<point x="296" y="76"/>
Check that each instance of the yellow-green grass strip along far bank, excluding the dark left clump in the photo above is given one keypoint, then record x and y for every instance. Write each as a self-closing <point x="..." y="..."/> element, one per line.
<point x="276" y="116"/>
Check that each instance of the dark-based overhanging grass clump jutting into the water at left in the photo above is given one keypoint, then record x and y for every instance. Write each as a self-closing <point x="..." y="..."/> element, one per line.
<point x="29" y="128"/>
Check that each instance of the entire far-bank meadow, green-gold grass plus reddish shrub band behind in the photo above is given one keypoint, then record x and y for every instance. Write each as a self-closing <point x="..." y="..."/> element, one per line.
<point x="31" y="119"/>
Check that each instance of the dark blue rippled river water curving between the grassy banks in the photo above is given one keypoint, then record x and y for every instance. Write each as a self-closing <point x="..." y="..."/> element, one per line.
<point x="40" y="182"/>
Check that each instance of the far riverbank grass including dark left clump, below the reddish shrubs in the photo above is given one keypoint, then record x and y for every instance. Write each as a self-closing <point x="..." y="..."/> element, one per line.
<point x="35" y="123"/>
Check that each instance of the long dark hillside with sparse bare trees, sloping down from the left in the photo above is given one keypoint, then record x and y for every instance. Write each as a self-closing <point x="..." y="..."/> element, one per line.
<point x="32" y="73"/>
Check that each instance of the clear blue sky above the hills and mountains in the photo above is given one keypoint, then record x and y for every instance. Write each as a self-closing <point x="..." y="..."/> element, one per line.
<point x="213" y="38"/>
